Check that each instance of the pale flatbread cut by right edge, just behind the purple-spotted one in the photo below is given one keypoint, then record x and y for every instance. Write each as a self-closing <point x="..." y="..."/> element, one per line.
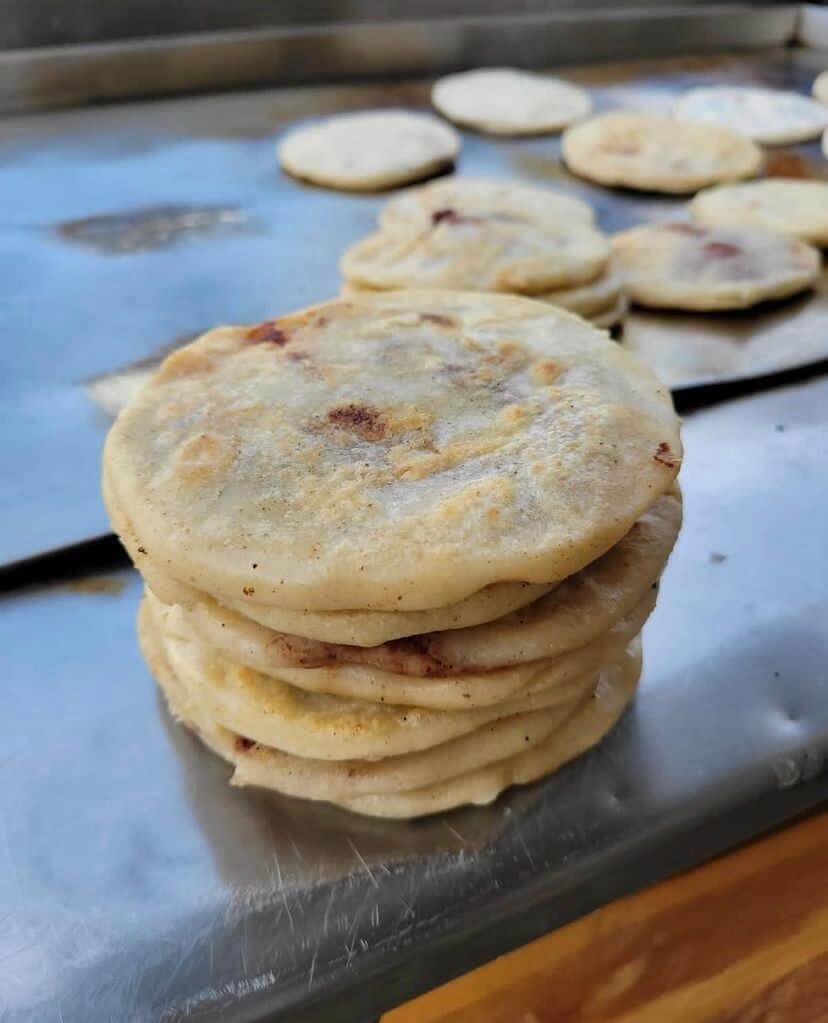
<point x="789" y="206"/>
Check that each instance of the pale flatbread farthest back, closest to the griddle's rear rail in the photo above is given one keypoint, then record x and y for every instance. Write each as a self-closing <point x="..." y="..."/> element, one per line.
<point x="505" y="102"/>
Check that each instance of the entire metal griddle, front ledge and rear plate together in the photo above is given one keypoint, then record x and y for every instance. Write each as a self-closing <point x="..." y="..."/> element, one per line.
<point x="135" y="883"/>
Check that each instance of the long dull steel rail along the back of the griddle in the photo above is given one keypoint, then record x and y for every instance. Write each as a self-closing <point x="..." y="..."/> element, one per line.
<point x="66" y="76"/>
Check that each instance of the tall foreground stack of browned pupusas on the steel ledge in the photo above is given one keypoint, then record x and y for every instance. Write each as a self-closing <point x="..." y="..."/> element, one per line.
<point x="399" y="549"/>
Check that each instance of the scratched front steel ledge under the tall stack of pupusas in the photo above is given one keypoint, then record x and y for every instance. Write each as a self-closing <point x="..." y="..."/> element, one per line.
<point x="136" y="885"/>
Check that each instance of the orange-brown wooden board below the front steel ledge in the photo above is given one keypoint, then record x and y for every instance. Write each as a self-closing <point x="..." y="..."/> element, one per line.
<point x="744" y="940"/>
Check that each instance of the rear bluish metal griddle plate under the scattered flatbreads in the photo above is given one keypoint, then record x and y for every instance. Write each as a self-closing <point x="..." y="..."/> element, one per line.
<point x="128" y="230"/>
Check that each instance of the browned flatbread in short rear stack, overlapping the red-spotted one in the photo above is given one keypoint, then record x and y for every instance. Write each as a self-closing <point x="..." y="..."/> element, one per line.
<point x="501" y="249"/>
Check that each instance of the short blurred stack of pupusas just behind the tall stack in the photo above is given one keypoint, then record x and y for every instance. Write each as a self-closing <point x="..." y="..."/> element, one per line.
<point x="491" y="237"/>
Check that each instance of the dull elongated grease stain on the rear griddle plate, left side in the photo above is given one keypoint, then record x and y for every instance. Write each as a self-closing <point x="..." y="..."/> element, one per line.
<point x="151" y="228"/>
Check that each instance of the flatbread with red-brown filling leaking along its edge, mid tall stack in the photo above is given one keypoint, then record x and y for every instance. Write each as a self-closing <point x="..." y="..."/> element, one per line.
<point x="588" y="607"/>
